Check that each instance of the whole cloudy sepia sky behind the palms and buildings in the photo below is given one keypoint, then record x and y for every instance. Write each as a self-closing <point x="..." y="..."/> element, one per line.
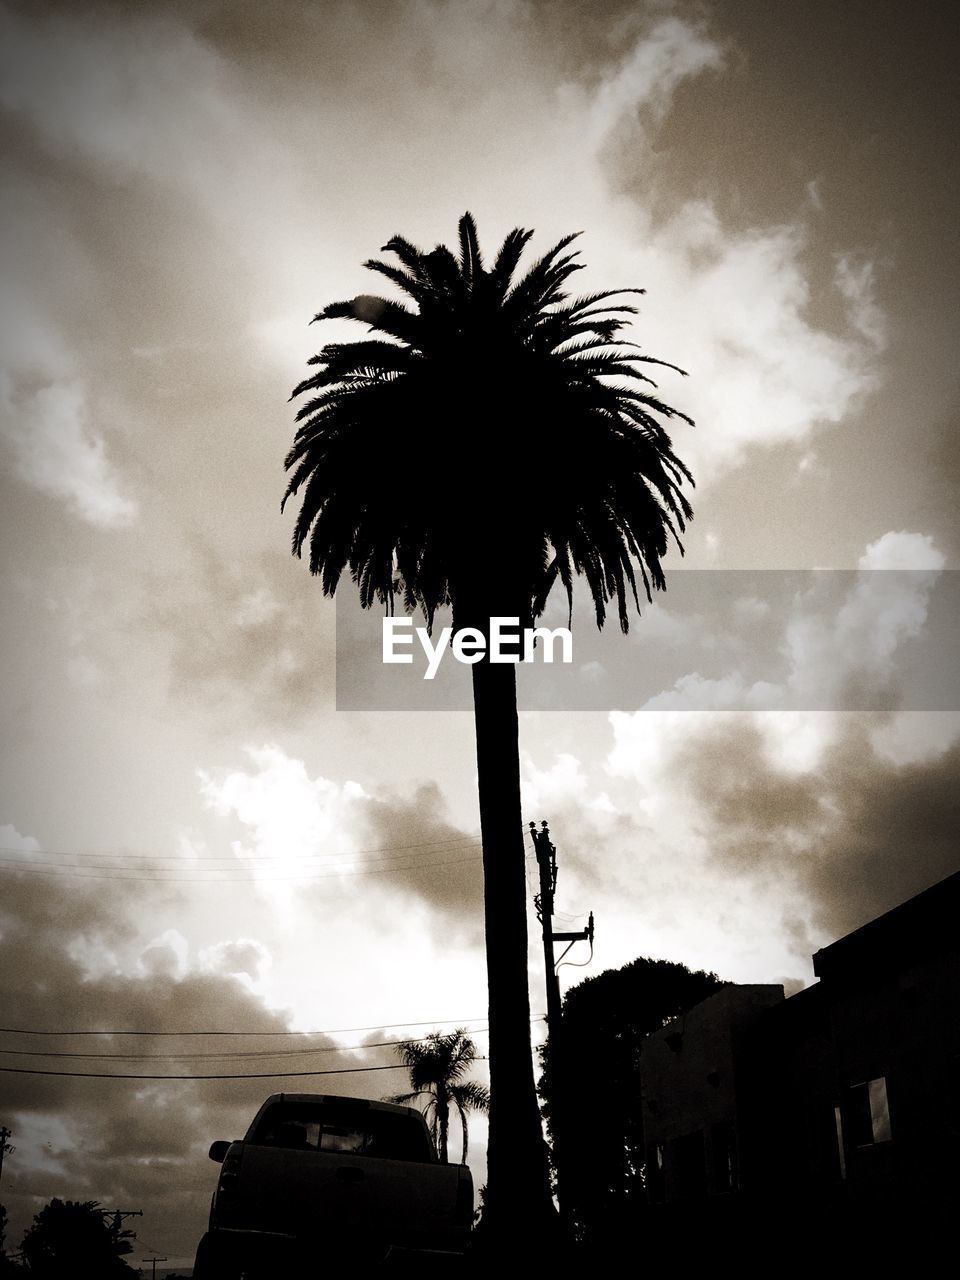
<point x="193" y="836"/>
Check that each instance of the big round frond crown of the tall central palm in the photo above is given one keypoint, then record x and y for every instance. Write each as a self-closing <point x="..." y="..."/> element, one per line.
<point x="493" y="429"/>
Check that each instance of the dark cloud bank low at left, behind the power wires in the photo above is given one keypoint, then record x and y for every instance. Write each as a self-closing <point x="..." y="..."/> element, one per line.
<point x="129" y="1144"/>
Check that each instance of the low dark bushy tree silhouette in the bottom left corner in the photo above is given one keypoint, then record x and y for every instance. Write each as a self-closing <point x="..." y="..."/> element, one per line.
<point x="70" y="1237"/>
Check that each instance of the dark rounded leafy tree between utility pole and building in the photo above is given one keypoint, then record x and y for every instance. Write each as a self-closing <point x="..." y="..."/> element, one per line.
<point x="606" y="1021"/>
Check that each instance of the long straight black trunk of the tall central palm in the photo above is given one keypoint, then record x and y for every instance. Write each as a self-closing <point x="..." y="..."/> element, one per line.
<point x="518" y="1191"/>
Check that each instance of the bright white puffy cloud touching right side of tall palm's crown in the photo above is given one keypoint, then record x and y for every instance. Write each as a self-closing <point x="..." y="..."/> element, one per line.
<point x="765" y="374"/>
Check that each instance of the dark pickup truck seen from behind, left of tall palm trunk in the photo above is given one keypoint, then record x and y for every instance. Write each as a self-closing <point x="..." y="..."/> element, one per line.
<point x="323" y="1180"/>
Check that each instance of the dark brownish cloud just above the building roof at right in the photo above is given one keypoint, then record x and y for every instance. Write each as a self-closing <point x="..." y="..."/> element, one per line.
<point x="854" y="838"/>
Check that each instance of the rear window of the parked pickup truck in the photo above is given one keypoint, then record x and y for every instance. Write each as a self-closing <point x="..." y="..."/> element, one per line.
<point x="318" y="1127"/>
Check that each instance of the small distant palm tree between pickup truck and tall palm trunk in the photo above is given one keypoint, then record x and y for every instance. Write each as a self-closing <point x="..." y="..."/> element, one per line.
<point x="437" y="1068"/>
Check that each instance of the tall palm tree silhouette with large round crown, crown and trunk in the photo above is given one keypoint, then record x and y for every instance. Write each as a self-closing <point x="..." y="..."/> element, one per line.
<point x="492" y="438"/>
